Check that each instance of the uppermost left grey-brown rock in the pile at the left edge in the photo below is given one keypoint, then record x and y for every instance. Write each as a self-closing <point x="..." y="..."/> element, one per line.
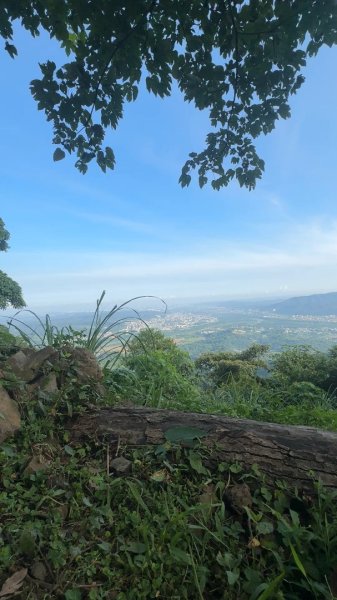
<point x="27" y="366"/>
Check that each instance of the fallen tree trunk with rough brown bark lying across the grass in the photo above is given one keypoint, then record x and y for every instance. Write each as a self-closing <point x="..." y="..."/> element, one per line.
<point x="289" y="453"/>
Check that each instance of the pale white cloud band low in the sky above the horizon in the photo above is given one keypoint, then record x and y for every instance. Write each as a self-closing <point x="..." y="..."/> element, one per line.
<point x="302" y="259"/>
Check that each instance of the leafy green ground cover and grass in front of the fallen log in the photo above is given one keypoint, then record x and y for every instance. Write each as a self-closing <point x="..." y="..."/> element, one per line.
<point x="165" y="529"/>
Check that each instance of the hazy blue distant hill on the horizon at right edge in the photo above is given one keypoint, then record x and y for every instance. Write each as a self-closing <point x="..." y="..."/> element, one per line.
<point x="316" y="304"/>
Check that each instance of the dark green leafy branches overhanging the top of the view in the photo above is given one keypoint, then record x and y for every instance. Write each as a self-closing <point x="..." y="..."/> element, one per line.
<point x="240" y="60"/>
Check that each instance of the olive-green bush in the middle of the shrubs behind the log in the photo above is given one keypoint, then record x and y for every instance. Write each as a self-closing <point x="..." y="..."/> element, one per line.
<point x="220" y="367"/>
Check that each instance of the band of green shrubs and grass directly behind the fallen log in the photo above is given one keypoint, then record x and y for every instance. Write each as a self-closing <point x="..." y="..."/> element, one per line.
<point x="294" y="387"/>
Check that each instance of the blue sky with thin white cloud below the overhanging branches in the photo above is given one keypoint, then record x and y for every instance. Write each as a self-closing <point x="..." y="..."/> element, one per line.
<point x="133" y="231"/>
